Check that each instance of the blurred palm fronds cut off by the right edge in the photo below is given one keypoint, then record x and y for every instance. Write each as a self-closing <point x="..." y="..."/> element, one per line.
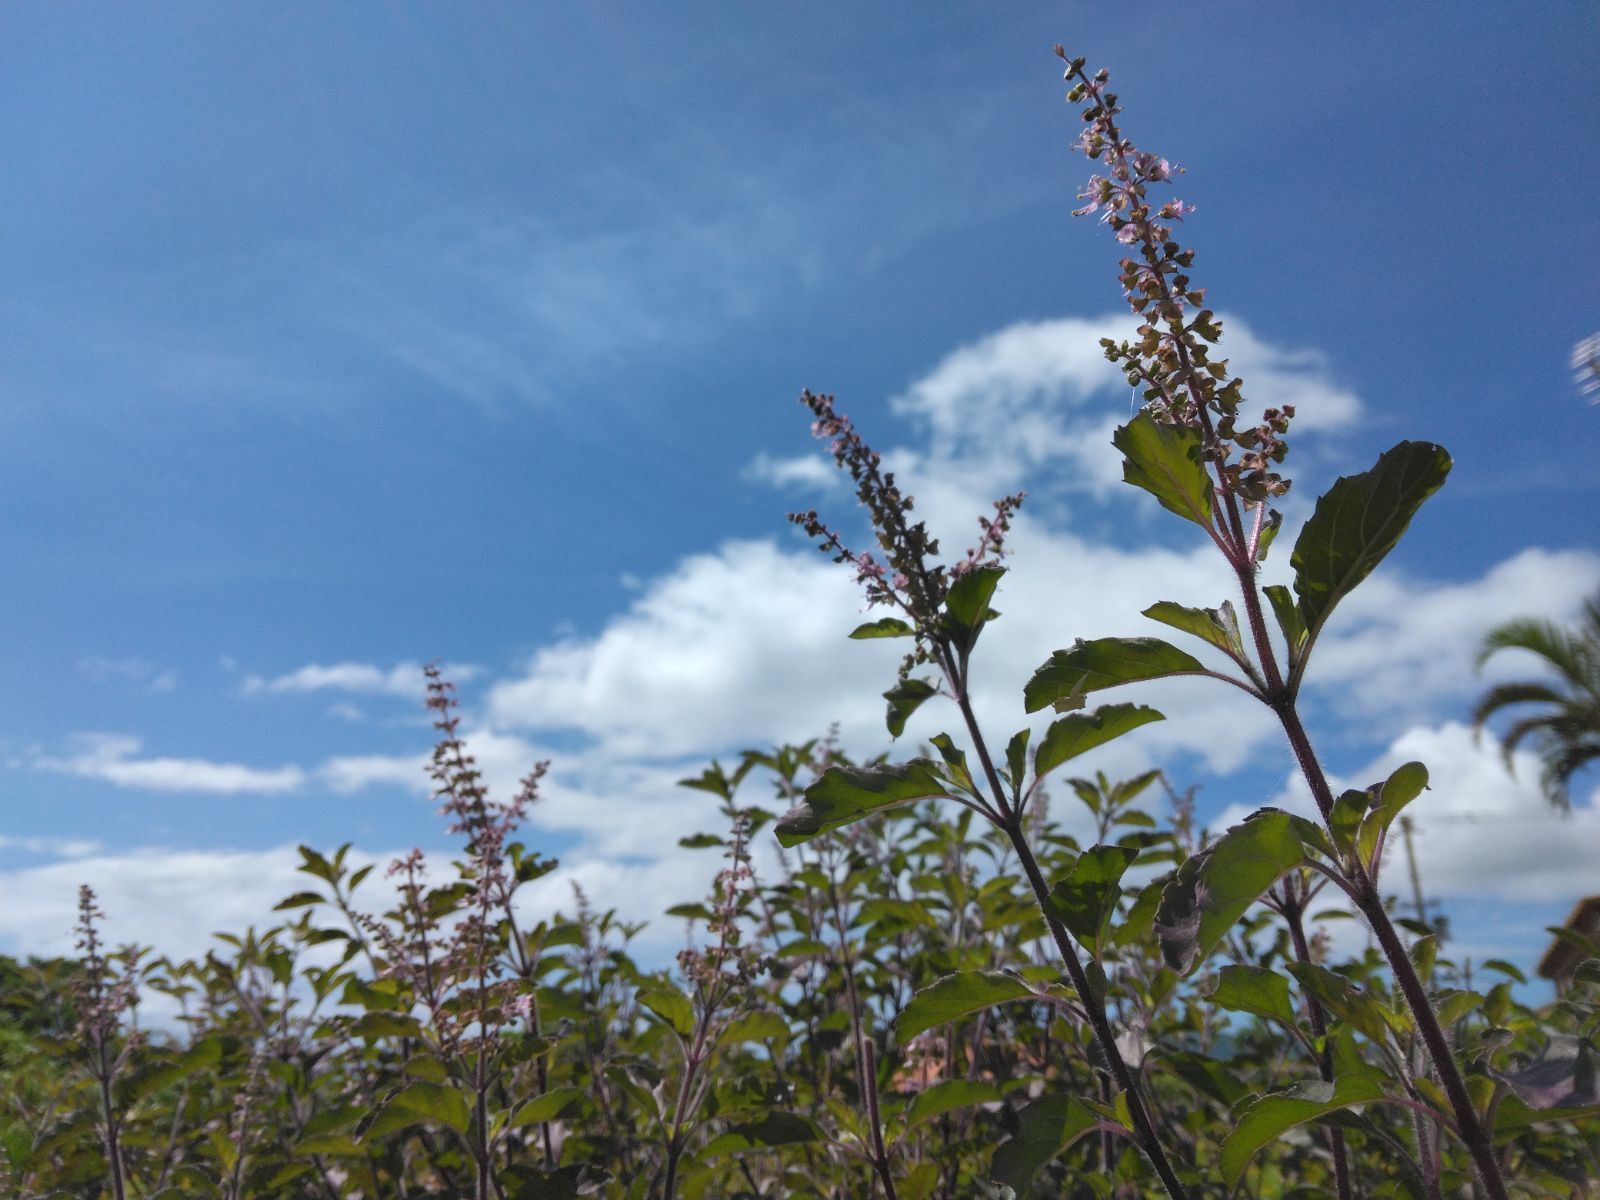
<point x="1566" y="724"/>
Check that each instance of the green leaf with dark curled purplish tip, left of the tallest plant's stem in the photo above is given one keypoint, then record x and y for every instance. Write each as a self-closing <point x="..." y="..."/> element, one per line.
<point x="1214" y="889"/>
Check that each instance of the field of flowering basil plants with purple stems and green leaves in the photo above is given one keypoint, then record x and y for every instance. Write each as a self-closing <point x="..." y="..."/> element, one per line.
<point x="938" y="994"/>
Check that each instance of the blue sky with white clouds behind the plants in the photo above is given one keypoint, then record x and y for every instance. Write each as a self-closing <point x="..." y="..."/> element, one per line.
<point x="345" y="338"/>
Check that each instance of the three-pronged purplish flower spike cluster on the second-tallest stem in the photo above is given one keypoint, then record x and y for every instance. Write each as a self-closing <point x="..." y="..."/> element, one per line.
<point x="905" y="578"/>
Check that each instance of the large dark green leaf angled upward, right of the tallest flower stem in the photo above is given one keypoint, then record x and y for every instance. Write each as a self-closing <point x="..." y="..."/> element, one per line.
<point x="1358" y="522"/>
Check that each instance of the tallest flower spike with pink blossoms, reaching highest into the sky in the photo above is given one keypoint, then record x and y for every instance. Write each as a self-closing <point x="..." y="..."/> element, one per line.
<point x="1170" y="361"/>
